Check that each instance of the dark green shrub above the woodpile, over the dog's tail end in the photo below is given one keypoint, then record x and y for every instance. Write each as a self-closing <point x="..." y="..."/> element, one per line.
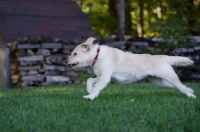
<point x="173" y="33"/>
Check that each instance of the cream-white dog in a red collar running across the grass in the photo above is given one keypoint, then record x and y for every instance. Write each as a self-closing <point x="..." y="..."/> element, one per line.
<point x="126" y="67"/>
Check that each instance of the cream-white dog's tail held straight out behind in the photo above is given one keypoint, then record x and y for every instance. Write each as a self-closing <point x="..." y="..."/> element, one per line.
<point x="177" y="60"/>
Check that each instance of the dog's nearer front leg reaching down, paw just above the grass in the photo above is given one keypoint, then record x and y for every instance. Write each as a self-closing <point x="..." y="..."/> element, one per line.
<point x="102" y="82"/>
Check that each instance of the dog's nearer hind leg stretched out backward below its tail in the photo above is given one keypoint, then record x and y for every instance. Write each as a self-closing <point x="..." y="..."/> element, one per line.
<point x="171" y="77"/>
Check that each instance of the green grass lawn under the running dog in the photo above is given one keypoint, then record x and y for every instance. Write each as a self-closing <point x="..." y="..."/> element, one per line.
<point x="119" y="108"/>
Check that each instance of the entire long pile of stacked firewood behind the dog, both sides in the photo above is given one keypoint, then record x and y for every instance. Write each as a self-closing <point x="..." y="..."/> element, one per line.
<point x="39" y="62"/>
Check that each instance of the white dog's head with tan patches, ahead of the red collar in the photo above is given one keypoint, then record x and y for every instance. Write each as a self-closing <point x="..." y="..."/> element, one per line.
<point x="83" y="54"/>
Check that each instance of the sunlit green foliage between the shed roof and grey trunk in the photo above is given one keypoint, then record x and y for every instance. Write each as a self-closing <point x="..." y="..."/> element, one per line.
<point x="102" y="22"/>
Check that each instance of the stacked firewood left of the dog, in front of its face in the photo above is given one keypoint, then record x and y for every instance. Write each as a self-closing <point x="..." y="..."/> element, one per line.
<point x="39" y="63"/>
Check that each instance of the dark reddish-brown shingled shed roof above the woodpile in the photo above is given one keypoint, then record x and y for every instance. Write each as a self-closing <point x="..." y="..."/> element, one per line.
<point x="56" y="18"/>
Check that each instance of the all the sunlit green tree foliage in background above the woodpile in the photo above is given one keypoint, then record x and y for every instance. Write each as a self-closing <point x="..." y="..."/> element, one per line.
<point x="170" y="12"/>
